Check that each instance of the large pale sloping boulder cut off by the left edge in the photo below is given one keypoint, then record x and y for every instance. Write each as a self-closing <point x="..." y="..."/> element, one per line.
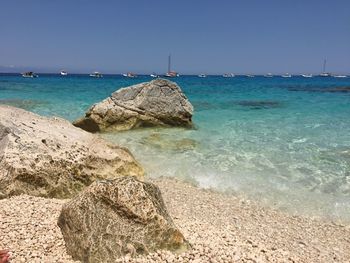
<point x="50" y="157"/>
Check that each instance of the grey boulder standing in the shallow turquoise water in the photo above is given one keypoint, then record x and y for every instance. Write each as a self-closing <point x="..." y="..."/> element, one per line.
<point x="156" y="103"/>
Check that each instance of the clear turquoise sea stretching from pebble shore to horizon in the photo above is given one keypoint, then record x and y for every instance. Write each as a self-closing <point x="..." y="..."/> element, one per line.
<point x="284" y="142"/>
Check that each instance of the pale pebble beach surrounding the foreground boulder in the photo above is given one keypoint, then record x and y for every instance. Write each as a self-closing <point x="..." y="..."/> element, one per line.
<point x="220" y="227"/>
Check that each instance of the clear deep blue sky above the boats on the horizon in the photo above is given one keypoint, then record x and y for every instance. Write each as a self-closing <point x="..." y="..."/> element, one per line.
<point x="244" y="36"/>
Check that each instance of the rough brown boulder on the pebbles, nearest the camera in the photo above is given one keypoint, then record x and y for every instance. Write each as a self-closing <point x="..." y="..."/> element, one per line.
<point x="112" y="218"/>
